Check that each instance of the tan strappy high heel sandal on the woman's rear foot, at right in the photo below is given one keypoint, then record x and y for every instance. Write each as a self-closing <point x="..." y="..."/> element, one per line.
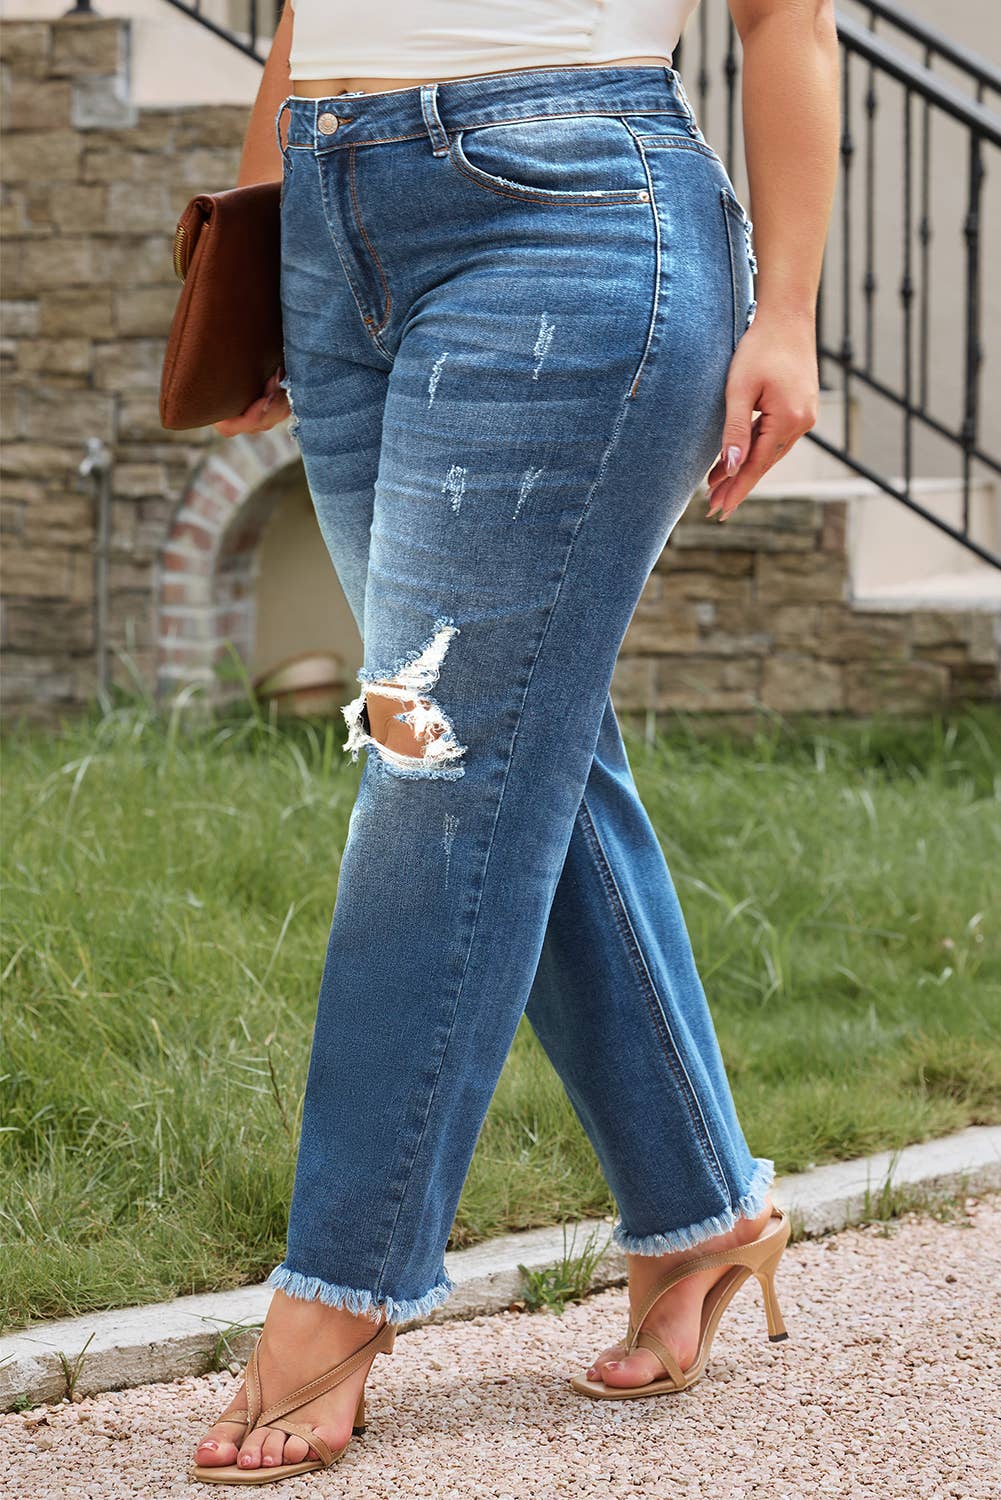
<point x="759" y="1259"/>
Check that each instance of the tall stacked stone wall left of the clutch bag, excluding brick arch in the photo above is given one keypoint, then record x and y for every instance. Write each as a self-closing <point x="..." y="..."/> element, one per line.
<point x="94" y="190"/>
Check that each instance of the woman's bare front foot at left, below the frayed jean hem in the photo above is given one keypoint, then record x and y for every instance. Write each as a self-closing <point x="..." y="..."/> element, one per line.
<point x="301" y="1342"/>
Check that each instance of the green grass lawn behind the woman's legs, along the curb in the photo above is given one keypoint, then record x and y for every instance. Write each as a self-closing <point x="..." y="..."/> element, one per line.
<point x="167" y="898"/>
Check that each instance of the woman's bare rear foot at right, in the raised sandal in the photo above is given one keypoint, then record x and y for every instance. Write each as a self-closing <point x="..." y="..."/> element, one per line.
<point x="678" y="1318"/>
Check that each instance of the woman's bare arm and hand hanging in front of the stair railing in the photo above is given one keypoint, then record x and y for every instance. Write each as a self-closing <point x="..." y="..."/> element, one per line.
<point x="792" y="137"/>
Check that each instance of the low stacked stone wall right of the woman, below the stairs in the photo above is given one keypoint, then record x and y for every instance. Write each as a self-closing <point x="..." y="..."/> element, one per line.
<point x="756" y="613"/>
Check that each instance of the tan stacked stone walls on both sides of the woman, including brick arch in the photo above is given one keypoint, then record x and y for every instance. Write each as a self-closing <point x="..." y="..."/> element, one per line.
<point x="748" y="614"/>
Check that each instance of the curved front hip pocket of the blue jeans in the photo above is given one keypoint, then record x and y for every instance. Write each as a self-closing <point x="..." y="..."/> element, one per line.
<point x="573" y="160"/>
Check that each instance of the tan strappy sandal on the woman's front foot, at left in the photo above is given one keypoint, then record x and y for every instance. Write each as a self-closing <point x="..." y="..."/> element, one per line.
<point x="277" y="1417"/>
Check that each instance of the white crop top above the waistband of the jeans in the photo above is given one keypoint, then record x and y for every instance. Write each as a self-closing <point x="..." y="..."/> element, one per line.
<point x="458" y="38"/>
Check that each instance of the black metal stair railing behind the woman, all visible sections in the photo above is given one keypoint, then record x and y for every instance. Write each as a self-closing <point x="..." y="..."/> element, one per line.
<point x="946" y="95"/>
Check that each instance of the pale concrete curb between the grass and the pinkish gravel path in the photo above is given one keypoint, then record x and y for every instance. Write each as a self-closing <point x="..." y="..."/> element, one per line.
<point x="190" y="1336"/>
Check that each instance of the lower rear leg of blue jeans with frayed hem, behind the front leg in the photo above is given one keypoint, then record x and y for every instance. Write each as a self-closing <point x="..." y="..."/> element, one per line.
<point x="625" y="1019"/>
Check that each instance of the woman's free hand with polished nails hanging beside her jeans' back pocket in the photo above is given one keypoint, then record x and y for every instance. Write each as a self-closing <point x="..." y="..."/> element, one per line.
<point x="774" y="373"/>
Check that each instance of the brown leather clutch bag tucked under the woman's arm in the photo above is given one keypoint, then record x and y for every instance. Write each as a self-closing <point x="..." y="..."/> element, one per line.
<point x="226" y="337"/>
